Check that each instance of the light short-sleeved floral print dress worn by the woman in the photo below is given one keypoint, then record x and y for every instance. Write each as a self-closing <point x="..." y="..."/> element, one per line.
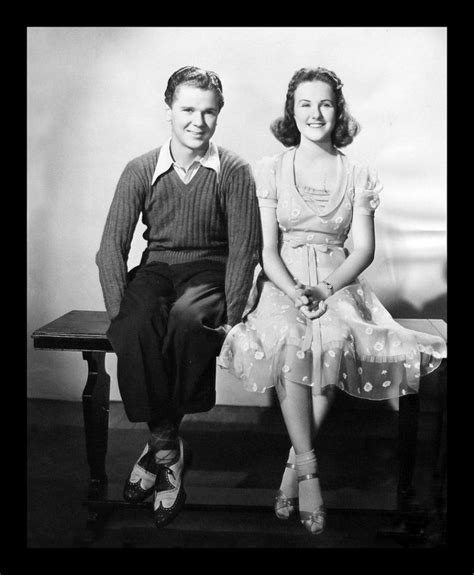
<point x="356" y="345"/>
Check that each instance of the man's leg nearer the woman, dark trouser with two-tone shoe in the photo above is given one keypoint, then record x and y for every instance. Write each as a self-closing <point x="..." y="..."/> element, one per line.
<point x="191" y="346"/>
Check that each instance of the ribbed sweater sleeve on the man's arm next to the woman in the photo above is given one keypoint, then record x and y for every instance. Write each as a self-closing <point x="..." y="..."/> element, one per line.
<point x="244" y="237"/>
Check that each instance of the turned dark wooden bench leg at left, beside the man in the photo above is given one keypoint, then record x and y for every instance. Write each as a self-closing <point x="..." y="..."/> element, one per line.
<point x="95" y="404"/>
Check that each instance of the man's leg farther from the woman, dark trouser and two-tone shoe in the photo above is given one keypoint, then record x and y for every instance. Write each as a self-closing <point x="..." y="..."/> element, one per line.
<point x="137" y="335"/>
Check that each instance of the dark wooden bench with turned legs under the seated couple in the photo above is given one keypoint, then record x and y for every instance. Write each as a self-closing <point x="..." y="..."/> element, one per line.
<point x="85" y="332"/>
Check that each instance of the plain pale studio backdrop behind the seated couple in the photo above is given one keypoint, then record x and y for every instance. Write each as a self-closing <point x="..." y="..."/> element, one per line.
<point x="95" y="101"/>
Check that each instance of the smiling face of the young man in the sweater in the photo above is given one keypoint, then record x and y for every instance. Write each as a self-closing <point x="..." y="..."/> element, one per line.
<point x="193" y="116"/>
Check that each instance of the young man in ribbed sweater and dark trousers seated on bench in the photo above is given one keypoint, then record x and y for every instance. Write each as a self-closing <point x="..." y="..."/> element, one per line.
<point x="169" y="316"/>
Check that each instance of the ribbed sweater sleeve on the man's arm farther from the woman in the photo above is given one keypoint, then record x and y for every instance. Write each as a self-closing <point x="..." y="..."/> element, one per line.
<point x="117" y="236"/>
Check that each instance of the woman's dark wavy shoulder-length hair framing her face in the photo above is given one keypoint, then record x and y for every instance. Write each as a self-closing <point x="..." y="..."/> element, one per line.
<point x="284" y="128"/>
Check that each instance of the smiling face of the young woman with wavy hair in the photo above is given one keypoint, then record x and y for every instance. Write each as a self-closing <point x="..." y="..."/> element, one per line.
<point x="315" y="111"/>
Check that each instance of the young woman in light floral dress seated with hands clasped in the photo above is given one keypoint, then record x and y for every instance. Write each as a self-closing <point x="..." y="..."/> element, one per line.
<point x="318" y="324"/>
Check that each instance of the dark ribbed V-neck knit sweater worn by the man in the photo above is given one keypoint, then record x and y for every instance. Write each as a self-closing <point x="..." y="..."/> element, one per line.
<point x="208" y="218"/>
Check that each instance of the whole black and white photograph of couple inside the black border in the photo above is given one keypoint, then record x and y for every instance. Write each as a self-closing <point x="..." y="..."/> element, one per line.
<point x="236" y="287"/>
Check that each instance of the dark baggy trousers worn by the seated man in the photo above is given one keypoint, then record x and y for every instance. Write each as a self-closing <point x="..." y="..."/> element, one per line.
<point x="166" y="340"/>
